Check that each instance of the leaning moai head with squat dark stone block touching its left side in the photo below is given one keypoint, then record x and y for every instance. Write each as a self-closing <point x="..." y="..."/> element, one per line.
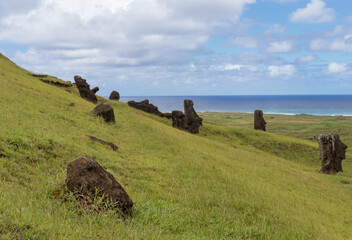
<point x="189" y="120"/>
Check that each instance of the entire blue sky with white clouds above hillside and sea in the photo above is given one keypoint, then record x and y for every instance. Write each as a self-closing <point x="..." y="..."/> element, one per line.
<point x="182" y="47"/>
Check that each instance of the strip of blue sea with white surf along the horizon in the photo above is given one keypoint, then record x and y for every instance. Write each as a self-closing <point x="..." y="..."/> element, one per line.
<point x="275" y="104"/>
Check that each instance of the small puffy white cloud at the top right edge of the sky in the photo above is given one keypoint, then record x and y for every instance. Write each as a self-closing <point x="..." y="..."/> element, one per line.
<point x="314" y="12"/>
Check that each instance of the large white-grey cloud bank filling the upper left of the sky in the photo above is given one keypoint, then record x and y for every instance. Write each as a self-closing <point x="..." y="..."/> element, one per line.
<point x="119" y="32"/>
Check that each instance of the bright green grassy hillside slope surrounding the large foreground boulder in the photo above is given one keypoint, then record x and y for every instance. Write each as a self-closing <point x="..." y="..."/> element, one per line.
<point x="223" y="183"/>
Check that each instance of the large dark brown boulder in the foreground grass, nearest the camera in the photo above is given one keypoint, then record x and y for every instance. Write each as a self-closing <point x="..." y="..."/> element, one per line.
<point x="86" y="177"/>
